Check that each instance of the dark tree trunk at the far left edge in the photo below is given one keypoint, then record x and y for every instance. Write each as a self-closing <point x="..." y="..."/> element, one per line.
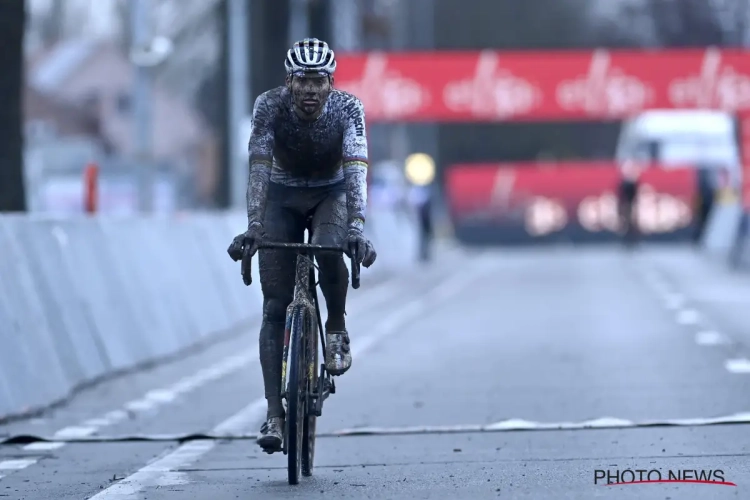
<point x="12" y="25"/>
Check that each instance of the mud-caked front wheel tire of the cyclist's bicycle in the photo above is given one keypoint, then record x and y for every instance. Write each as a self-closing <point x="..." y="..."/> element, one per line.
<point x="296" y="395"/>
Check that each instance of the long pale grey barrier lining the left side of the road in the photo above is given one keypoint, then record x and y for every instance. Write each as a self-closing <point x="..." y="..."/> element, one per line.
<point x="82" y="299"/>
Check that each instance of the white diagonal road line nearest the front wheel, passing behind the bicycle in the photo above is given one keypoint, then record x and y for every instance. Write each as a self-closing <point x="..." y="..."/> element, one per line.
<point x="162" y="470"/>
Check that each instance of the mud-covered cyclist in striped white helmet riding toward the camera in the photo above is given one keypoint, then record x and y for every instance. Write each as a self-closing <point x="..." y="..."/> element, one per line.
<point x="308" y="157"/>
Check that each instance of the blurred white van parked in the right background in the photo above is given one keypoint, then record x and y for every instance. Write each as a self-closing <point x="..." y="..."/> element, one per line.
<point x="673" y="138"/>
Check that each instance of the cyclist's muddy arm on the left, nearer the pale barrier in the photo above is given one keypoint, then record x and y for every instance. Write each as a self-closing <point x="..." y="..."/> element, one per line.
<point x="260" y="149"/>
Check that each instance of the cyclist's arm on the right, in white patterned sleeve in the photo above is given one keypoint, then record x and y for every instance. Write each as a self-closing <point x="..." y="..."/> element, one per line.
<point x="355" y="162"/>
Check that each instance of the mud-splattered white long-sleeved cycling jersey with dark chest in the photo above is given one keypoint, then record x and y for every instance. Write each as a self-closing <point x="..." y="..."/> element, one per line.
<point x="286" y="149"/>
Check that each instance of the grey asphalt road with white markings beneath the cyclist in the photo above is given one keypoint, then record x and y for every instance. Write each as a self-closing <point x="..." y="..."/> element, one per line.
<point x="477" y="377"/>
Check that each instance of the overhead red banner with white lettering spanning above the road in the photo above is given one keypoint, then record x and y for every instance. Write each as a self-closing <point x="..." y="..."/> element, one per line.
<point x="494" y="86"/>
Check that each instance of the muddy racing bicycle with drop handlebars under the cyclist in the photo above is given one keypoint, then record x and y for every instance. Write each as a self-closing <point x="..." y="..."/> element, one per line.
<point x="306" y="389"/>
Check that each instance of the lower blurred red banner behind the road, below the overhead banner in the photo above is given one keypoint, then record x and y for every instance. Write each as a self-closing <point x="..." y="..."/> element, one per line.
<point x="548" y="200"/>
